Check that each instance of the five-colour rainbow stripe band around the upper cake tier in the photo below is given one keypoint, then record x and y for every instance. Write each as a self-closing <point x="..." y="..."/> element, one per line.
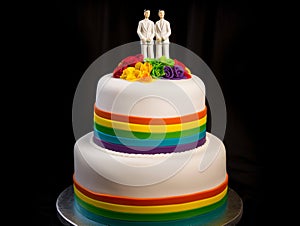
<point x="138" y="135"/>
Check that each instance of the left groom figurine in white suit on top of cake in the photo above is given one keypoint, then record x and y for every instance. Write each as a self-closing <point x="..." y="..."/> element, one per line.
<point x="146" y="32"/>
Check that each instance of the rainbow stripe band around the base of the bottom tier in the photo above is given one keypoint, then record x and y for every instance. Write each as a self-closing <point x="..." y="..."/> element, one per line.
<point x="93" y="205"/>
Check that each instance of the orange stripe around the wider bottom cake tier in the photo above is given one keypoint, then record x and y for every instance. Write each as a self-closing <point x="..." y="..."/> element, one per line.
<point x="152" y="201"/>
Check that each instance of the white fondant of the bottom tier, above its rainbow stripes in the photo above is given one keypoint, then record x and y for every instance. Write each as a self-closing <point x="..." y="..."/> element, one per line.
<point x="160" y="175"/>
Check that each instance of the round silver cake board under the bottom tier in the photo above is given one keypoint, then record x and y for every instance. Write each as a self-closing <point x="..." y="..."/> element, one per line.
<point x="68" y="215"/>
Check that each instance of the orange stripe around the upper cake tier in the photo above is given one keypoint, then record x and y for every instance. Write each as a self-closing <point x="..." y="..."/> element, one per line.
<point x="148" y="121"/>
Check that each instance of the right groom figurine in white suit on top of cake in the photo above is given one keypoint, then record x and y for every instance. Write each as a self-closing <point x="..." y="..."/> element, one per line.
<point x="162" y="33"/>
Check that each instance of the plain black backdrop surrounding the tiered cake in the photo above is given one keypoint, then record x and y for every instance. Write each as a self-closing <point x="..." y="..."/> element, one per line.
<point x="54" y="42"/>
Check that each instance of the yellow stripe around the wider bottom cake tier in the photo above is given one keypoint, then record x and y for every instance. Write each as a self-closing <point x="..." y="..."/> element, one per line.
<point x="152" y="209"/>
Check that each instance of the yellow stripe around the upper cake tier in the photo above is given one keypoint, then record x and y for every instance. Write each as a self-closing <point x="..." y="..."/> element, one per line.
<point x="149" y="128"/>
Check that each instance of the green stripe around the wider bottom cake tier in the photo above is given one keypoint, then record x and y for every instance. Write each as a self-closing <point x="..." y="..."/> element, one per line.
<point x="149" y="217"/>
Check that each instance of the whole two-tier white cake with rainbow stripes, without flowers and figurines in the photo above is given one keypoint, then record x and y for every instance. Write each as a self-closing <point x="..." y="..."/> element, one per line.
<point x="149" y="158"/>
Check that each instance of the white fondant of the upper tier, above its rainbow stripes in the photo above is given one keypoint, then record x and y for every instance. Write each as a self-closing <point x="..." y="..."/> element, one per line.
<point x="159" y="98"/>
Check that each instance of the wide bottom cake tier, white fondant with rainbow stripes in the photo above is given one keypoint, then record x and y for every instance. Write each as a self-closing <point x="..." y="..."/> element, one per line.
<point x="118" y="189"/>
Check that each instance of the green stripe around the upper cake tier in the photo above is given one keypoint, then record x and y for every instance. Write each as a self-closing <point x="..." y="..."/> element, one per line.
<point x="145" y="135"/>
